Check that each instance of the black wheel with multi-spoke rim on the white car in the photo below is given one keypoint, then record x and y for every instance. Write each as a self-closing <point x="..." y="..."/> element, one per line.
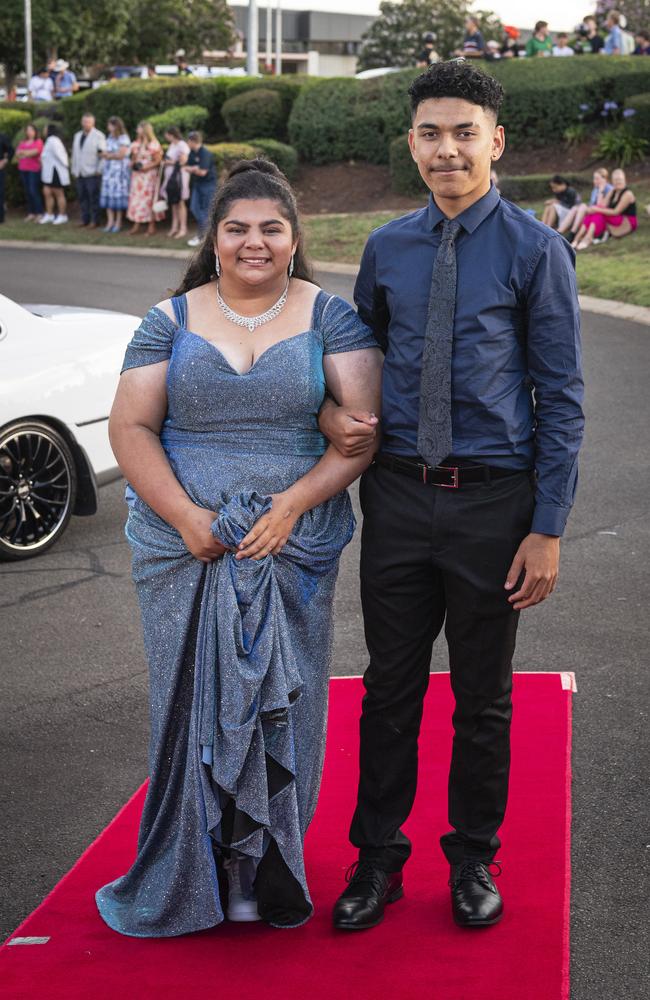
<point x="38" y="488"/>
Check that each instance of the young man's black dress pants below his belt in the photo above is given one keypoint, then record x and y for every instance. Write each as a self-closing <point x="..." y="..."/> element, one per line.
<point x="432" y="556"/>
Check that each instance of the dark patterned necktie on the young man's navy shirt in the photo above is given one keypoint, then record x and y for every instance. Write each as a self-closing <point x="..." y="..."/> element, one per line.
<point x="434" y="421"/>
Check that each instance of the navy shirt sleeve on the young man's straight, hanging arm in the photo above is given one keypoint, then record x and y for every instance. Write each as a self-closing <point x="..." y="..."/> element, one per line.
<point x="555" y="369"/>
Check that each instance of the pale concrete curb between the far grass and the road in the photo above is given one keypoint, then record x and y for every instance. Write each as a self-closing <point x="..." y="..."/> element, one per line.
<point x="602" y="307"/>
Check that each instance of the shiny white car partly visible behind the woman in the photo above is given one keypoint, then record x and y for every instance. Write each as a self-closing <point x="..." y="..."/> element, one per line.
<point x="59" y="368"/>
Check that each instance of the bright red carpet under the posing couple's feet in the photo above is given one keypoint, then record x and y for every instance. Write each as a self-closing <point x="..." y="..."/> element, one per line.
<point x="416" y="954"/>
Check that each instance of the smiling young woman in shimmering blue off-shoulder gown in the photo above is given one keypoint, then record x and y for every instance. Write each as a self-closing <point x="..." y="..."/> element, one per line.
<point x="238" y="512"/>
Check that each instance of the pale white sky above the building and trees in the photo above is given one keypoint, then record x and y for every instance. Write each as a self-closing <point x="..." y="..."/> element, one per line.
<point x="562" y="15"/>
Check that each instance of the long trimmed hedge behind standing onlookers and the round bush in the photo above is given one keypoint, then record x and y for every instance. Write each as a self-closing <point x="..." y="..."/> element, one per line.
<point x="135" y="100"/>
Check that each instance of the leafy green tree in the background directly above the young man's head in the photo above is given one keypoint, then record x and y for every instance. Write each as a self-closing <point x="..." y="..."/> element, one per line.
<point x="396" y="37"/>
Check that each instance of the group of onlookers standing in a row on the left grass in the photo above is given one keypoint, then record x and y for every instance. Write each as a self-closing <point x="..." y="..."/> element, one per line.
<point x="137" y="180"/>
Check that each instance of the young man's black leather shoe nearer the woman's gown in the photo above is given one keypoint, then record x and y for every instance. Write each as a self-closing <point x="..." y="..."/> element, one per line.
<point x="362" y="904"/>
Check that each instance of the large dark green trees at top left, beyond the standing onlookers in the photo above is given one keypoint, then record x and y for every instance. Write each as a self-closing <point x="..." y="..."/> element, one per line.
<point x="107" y="31"/>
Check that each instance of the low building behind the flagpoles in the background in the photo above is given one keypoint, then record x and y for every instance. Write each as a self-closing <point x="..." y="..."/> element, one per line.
<point x="315" y="42"/>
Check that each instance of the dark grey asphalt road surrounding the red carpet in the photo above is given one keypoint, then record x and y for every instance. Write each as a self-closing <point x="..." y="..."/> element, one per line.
<point x="73" y="708"/>
